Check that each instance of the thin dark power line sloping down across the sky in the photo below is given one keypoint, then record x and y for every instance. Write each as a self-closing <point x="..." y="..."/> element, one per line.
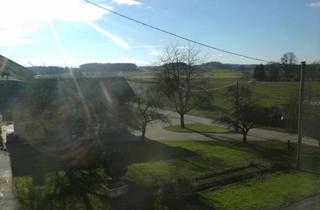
<point x="176" y="35"/>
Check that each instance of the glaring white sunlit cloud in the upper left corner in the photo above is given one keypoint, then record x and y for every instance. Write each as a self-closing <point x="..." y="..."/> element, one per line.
<point x="20" y="18"/>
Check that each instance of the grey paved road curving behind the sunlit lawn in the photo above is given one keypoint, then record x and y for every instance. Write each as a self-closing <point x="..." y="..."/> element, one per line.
<point x="156" y="131"/>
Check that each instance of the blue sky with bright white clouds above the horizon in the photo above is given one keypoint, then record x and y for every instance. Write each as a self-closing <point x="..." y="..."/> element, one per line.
<point x="73" y="32"/>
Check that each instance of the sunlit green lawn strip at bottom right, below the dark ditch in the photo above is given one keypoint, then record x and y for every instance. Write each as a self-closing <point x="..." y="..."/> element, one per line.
<point x="267" y="192"/>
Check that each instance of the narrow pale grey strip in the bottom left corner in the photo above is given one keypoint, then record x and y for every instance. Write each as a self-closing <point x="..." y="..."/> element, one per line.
<point x="8" y="200"/>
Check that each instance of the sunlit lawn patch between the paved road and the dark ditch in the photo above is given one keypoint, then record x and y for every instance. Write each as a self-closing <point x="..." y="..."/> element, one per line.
<point x="204" y="158"/>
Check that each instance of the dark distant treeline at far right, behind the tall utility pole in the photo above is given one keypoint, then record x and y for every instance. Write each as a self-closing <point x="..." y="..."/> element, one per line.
<point x="286" y="72"/>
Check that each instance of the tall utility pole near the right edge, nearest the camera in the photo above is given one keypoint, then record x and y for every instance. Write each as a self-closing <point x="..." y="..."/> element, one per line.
<point x="300" y="118"/>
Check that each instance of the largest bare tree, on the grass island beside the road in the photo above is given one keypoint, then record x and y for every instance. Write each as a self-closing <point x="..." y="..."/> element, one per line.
<point x="180" y="80"/>
